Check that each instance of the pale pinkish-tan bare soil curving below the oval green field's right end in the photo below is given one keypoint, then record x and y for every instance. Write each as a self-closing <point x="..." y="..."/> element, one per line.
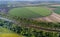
<point x="52" y="18"/>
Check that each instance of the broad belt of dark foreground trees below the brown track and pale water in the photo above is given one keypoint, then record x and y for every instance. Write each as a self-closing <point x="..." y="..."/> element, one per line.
<point x="28" y="32"/>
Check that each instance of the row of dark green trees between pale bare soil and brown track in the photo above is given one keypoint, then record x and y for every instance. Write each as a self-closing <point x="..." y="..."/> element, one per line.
<point x="41" y="23"/>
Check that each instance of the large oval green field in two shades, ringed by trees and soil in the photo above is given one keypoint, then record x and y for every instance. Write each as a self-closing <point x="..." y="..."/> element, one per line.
<point x="30" y="12"/>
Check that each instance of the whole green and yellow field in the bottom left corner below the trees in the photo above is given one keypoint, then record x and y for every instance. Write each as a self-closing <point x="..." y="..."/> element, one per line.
<point x="8" y="33"/>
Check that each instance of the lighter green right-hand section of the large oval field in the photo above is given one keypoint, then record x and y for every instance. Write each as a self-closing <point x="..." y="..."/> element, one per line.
<point x="43" y="11"/>
